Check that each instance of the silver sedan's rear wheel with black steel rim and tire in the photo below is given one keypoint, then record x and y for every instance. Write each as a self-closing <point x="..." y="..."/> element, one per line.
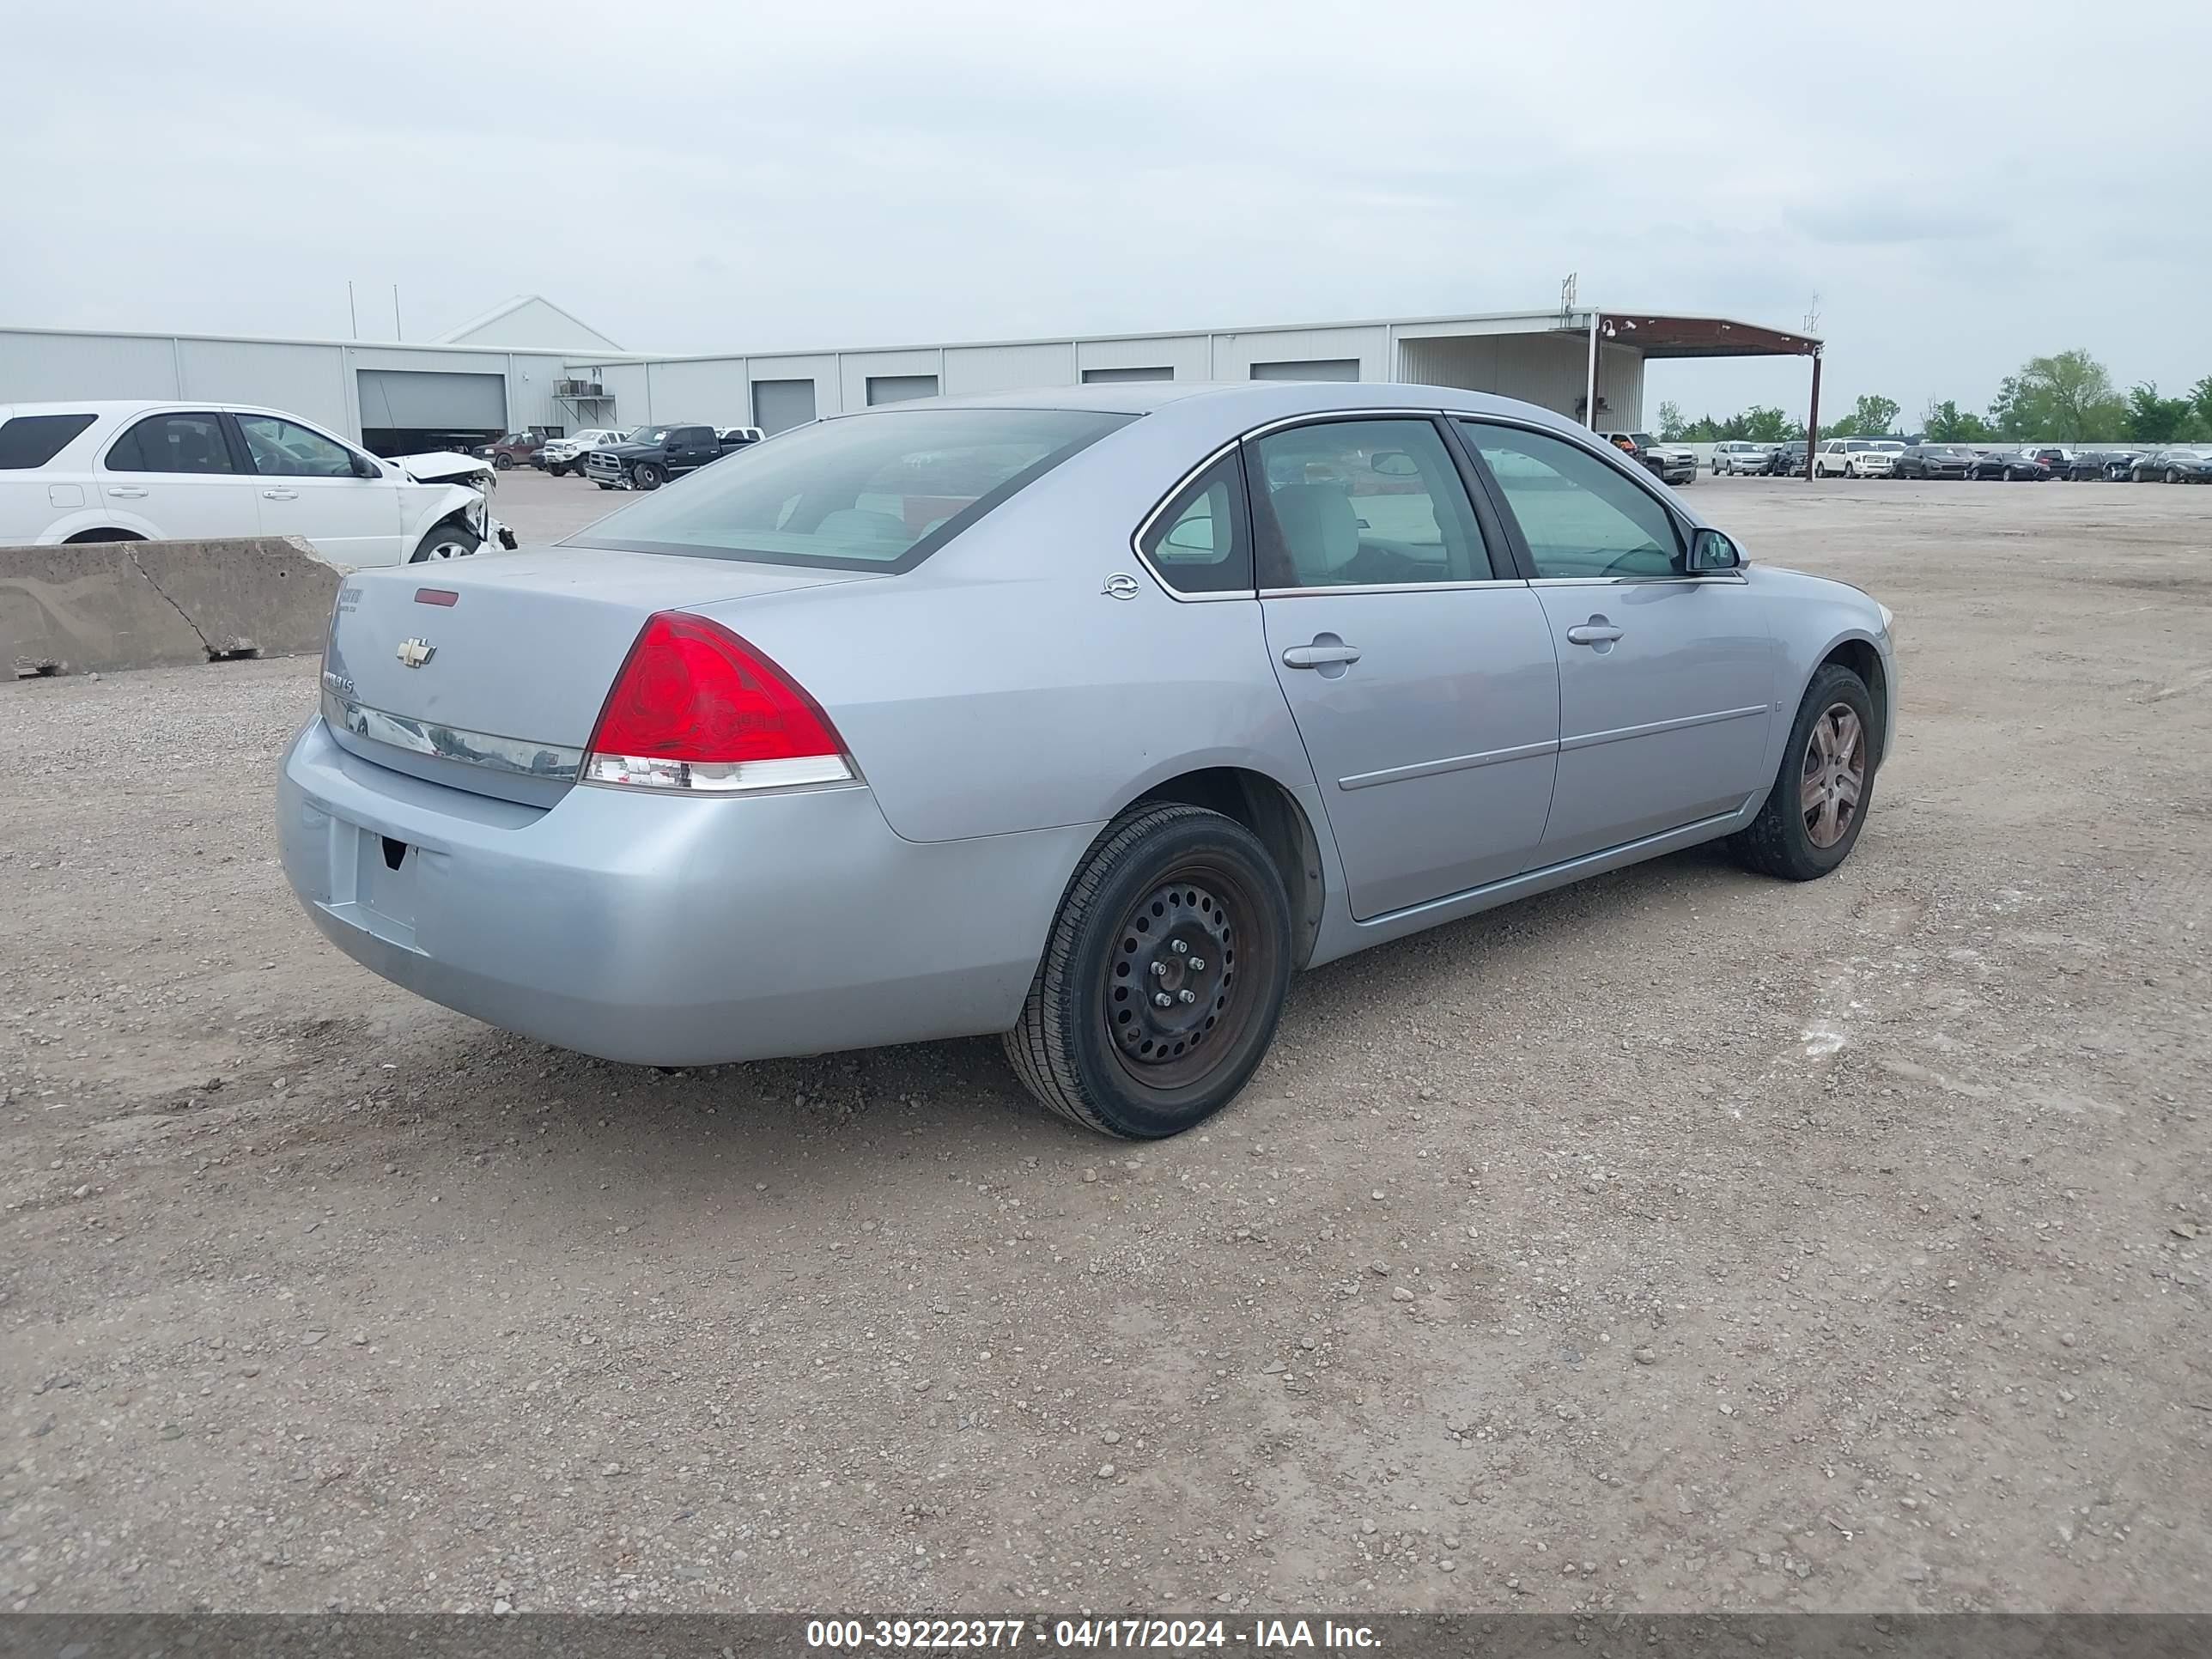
<point x="1162" y="981"/>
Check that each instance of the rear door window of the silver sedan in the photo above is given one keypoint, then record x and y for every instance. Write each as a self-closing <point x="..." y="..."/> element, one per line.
<point x="1361" y="503"/>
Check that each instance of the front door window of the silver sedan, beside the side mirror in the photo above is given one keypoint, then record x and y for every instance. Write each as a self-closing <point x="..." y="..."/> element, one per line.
<point x="1583" y="519"/>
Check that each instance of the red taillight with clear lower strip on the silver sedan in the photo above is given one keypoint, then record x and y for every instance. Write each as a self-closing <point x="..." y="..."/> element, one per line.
<point x="698" y="709"/>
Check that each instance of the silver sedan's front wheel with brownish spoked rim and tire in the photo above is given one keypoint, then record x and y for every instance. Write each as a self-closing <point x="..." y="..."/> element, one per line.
<point x="1819" y="802"/>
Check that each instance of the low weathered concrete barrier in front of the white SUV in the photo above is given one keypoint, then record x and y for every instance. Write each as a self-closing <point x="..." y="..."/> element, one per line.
<point x="147" y="605"/>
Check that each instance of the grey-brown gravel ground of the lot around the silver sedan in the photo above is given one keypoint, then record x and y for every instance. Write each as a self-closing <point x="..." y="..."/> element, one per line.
<point x="1676" y="1242"/>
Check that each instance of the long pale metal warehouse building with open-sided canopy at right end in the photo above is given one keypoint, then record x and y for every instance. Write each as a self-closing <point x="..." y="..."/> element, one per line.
<point x="532" y="364"/>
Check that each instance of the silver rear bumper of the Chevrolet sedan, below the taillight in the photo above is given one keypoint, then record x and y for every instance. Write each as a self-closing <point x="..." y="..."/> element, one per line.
<point x="669" y="932"/>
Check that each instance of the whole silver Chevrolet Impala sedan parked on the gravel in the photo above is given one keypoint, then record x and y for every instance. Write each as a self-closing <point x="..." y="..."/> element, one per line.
<point x="1081" y="718"/>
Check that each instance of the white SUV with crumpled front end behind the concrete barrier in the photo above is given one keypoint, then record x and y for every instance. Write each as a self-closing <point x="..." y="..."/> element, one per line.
<point x="134" y="472"/>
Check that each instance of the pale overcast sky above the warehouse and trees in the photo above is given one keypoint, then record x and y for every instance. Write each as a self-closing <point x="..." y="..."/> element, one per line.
<point x="1961" y="189"/>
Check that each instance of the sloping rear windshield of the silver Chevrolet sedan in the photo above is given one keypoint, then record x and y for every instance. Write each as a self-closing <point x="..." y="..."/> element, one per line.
<point x="877" y="492"/>
